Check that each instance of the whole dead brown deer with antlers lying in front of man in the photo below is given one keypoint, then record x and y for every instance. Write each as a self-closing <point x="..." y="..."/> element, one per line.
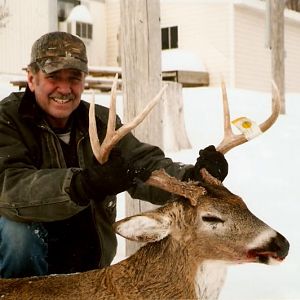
<point x="188" y="243"/>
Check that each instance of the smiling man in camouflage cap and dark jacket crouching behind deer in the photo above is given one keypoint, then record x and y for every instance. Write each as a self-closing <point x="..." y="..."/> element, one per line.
<point x="57" y="202"/>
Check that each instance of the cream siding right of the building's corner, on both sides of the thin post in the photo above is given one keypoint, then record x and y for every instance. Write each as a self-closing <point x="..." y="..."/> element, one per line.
<point x="253" y="59"/>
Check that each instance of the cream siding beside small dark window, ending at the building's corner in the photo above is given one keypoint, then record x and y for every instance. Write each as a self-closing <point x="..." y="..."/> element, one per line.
<point x="203" y="29"/>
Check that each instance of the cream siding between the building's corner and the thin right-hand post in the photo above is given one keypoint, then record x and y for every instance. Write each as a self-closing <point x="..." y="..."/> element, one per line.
<point x="252" y="58"/>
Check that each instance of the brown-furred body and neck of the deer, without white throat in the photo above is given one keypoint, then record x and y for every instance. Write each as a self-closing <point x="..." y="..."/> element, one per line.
<point x="135" y="278"/>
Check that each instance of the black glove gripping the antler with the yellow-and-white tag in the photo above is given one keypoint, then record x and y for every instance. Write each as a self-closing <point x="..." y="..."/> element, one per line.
<point x="213" y="161"/>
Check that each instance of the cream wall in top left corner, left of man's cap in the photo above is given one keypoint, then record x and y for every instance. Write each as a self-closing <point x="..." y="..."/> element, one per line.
<point x="27" y="21"/>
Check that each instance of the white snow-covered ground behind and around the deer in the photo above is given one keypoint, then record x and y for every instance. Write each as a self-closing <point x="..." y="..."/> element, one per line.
<point x="265" y="172"/>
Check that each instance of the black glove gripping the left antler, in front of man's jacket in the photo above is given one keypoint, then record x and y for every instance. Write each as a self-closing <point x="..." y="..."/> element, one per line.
<point x="111" y="178"/>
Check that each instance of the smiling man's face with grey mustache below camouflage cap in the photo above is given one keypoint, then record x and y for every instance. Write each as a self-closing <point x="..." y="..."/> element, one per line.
<point x="57" y="93"/>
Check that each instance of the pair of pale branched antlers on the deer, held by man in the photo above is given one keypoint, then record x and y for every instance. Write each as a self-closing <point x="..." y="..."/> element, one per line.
<point x="159" y="178"/>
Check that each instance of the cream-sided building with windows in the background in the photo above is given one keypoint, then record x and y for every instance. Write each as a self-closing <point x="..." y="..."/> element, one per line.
<point x="217" y="38"/>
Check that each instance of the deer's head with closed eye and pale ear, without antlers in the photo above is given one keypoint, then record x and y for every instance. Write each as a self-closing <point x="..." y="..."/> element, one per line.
<point x="218" y="223"/>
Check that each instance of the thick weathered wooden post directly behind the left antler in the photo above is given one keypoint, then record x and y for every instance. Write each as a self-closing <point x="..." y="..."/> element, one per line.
<point x="141" y="74"/>
